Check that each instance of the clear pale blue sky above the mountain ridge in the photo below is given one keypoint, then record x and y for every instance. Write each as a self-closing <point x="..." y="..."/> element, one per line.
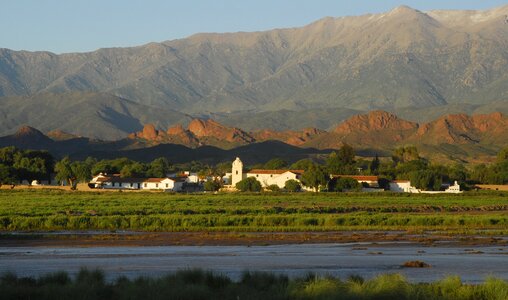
<point x="63" y="26"/>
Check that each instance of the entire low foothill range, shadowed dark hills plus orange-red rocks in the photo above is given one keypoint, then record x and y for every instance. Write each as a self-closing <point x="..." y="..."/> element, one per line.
<point x="456" y="137"/>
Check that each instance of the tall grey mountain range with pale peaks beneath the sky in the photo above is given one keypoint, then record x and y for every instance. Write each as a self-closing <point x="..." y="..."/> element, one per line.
<point x="418" y="65"/>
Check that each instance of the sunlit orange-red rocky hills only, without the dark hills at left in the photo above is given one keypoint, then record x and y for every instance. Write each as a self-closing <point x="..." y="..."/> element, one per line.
<point x="377" y="131"/>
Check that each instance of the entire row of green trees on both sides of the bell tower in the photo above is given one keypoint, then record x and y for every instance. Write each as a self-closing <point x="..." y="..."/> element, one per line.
<point x="406" y="163"/>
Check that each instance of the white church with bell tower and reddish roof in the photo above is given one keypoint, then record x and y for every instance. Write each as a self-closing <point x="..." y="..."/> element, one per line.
<point x="265" y="177"/>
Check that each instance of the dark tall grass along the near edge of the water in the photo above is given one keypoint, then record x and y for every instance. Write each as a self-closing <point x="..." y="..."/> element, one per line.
<point x="198" y="284"/>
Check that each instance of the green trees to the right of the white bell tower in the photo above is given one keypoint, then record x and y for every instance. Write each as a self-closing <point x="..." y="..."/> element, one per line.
<point x="405" y="164"/>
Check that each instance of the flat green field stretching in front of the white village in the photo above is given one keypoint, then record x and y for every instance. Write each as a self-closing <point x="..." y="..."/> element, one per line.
<point x="41" y="210"/>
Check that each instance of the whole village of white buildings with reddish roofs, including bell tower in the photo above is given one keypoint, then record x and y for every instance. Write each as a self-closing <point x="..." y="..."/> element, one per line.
<point x="191" y="182"/>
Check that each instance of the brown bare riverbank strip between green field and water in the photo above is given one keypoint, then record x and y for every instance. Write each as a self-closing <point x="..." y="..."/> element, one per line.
<point x="143" y="239"/>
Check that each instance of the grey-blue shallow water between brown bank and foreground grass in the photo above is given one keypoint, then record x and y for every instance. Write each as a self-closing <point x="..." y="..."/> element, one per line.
<point x="340" y="260"/>
